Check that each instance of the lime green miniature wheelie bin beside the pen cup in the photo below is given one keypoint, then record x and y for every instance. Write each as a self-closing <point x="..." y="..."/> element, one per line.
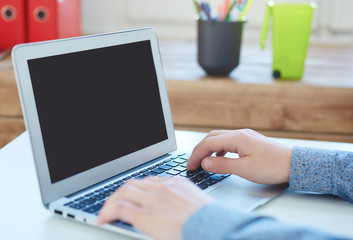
<point x="291" y="27"/>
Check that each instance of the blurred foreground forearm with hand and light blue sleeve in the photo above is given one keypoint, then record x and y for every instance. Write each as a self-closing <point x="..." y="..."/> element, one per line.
<point x="174" y="208"/>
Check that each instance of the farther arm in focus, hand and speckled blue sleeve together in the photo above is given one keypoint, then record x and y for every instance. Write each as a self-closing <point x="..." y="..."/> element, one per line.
<point x="265" y="161"/>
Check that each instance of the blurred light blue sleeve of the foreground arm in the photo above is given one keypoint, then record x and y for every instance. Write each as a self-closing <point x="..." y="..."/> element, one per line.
<point x="217" y="221"/>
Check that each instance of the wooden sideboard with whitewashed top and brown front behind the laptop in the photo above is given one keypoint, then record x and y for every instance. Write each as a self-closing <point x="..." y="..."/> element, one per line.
<point x="319" y="107"/>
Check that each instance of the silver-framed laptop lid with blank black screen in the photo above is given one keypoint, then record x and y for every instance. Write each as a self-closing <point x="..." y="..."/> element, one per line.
<point x="94" y="107"/>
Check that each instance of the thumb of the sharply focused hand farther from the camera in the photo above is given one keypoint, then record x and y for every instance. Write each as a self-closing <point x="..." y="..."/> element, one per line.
<point x="222" y="164"/>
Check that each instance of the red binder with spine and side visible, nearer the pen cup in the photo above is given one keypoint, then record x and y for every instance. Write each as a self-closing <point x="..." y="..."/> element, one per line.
<point x="52" y="19"/>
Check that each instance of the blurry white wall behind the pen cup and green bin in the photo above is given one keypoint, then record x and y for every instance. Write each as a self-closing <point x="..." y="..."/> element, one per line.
<point x="333" y="21"/>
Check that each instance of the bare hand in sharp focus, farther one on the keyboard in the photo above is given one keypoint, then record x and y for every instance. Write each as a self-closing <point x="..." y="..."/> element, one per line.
<point x="261" y="159"/>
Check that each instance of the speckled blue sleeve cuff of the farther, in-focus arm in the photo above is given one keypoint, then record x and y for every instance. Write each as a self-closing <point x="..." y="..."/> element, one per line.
<point x="324" y="171"/>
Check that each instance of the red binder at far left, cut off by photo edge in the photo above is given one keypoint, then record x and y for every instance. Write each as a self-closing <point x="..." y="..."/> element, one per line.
<point x="12" y="23"/>
